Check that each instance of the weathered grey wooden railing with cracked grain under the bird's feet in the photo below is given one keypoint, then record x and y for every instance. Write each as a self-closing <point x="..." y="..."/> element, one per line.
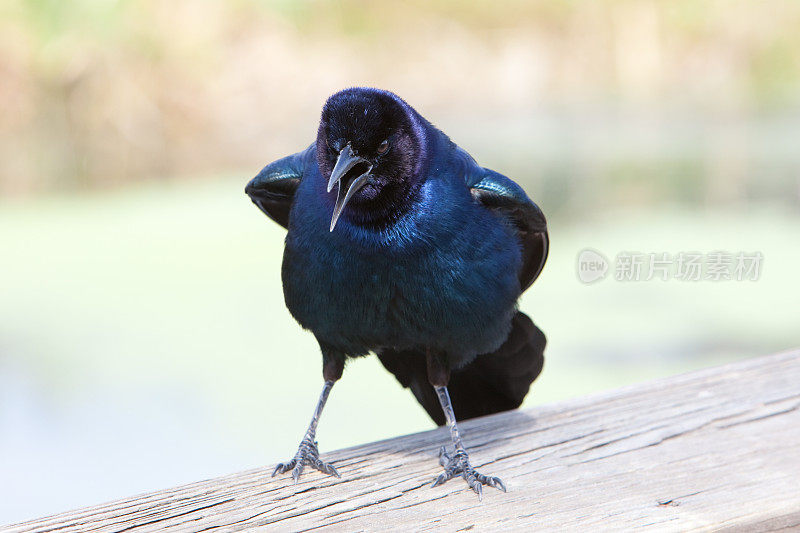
<point x="714" y="449"/>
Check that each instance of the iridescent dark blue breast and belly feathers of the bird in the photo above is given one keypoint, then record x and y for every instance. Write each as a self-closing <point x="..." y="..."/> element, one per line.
<point x="445" y="279"/>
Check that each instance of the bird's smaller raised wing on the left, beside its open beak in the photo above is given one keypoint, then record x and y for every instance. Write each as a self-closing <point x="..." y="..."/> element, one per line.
<point x="272" y="190"/>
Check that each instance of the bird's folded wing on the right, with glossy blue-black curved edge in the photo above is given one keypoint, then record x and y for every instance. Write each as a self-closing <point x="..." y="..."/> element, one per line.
<point x="507" y="199"/>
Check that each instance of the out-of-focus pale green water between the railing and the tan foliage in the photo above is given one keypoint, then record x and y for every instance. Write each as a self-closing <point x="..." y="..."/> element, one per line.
<point x="144" y="341"/>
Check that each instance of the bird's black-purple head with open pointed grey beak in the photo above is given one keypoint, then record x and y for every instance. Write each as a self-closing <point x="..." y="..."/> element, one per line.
<point x="370" y="148"/>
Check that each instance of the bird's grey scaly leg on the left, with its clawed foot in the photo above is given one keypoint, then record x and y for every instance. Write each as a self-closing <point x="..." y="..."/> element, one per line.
<point x="307" y="452"/>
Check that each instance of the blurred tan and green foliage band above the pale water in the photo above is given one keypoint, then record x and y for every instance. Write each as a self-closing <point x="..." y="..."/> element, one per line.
<point x="564" y="95"/>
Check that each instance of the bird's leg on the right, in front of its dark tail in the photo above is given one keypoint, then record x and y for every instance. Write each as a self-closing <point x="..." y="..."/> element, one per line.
<point x="458" y="463"/>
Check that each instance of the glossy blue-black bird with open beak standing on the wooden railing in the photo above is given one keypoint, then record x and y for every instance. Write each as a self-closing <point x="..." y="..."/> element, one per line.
<point x="418" y="256"/>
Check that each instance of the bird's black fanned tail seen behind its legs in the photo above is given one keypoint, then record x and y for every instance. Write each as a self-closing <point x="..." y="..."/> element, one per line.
<point x="491" y="383"/>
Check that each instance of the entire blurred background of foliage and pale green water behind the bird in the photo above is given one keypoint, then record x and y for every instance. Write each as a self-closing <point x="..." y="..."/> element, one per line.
<point x="143" y="336"/>
